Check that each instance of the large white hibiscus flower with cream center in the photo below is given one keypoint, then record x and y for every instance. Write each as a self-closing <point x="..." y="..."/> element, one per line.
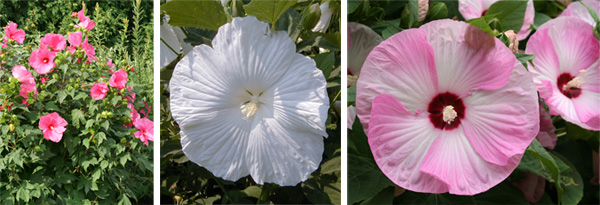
<point x="251" y="105"/>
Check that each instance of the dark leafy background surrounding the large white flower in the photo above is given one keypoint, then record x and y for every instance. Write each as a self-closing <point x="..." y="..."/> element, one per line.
<point x="316" y="36"/>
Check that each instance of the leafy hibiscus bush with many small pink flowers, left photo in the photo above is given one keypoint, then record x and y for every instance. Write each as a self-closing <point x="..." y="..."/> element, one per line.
<point x="74" y="128"/>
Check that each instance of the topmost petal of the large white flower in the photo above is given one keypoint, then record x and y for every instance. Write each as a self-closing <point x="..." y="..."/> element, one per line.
<point x="257" y="56"/>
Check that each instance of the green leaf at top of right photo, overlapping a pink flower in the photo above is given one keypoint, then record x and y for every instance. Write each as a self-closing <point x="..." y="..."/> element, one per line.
<point x="510" y="14"/>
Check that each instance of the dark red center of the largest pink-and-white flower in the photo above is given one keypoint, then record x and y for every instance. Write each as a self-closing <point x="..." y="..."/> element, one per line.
<point x="446" y="110"/>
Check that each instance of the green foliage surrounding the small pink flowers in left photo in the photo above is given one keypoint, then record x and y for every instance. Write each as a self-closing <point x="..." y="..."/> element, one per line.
<point x="98" y="160"/>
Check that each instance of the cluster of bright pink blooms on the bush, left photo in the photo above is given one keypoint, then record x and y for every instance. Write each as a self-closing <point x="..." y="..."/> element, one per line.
<point x="46" y="60"/>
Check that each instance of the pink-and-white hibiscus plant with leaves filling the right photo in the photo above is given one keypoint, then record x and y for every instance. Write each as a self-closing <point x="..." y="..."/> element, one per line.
<point x="394" y="158"/>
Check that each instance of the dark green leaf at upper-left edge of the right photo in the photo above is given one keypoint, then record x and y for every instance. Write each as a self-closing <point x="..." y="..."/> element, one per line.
<point x="362" y="40"/>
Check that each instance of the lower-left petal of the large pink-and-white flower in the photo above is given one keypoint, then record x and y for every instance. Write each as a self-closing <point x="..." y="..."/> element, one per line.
<point x="399" y="140"/>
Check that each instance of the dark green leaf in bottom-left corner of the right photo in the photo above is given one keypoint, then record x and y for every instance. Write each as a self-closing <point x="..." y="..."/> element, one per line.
<point x="365" y="180"/>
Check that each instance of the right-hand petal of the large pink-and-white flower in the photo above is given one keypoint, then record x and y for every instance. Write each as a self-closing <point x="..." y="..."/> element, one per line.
<point x="502" y="123"/>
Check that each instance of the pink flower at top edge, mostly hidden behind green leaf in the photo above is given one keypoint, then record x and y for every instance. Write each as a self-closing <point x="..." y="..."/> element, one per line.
<point x="471" y="9"/>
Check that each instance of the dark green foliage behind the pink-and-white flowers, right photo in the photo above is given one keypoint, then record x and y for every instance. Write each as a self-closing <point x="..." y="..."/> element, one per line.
<point x="567" y="168"/>
